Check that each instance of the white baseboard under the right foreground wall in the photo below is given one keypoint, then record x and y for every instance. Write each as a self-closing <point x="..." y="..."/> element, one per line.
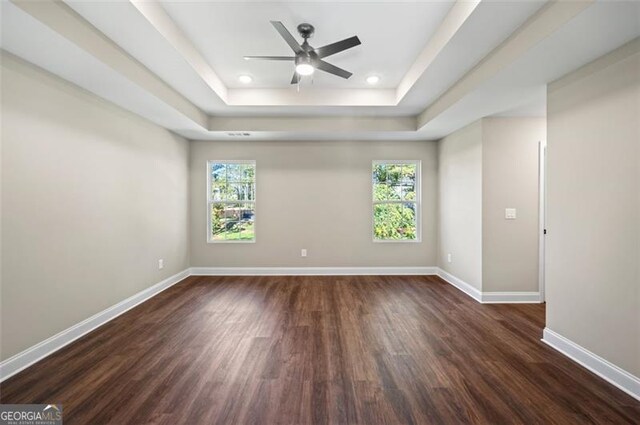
<point x="611" y="373"/>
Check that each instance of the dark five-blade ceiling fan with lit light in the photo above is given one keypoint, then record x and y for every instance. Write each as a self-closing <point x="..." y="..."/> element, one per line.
<point x="307" y="59"/>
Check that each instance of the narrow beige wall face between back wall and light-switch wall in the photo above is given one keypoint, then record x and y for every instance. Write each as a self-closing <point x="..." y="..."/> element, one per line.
<point x="460" y="204"/>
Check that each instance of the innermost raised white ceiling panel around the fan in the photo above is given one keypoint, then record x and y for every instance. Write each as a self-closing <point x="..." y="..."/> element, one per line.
<point x="392" y="35"/>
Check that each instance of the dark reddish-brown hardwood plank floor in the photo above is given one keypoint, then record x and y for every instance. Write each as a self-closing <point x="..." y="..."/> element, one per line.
<point x="299" y="350"/>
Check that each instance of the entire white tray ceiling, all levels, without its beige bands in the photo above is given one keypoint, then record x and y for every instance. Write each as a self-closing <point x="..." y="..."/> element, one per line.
<point x="222" y="32"/>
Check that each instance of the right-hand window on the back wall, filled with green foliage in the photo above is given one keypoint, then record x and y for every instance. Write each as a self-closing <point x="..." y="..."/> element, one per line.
<point x="396" y="201"/>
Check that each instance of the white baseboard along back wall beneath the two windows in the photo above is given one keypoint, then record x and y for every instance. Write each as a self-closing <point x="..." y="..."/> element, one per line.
<point x="311" y="271"/>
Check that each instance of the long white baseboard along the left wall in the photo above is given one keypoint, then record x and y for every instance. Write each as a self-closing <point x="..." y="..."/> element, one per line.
<point x="31" y="355"/>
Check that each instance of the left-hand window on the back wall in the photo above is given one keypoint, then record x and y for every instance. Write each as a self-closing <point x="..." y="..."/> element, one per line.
<point x="231" y="201"/>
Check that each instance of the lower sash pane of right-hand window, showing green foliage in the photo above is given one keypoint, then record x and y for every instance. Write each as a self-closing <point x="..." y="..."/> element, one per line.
<point x="394" y="221"/>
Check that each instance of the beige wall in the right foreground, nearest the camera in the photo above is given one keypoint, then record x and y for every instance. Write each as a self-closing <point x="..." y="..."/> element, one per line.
<point x="593" y="244"/>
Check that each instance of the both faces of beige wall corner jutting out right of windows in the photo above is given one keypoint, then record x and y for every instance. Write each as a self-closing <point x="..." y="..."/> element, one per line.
<point x="484" y="168"/>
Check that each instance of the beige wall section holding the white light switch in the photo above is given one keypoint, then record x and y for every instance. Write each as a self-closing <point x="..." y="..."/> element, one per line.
<point x="510" y="180"/>
